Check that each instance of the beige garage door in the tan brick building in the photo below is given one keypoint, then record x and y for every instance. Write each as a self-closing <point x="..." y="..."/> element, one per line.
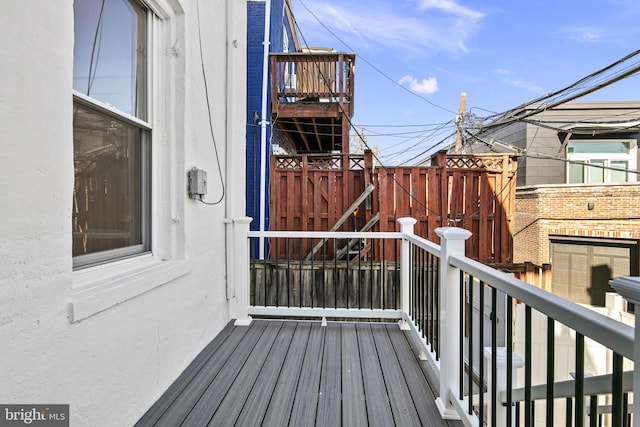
<point x="581" y="269"/>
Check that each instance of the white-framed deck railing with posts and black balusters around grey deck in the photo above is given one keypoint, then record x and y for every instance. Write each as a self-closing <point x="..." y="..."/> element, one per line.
<point x="481" y="379"/>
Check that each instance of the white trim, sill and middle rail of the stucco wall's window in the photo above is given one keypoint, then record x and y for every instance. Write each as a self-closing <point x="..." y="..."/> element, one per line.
<point x="97" y="288"/>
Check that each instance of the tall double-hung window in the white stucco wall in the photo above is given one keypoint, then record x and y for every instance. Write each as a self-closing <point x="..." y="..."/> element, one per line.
<point x="111" y="135"/>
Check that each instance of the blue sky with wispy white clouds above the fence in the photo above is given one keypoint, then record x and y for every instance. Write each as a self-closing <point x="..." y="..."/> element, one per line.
<point x="416" y="57"/>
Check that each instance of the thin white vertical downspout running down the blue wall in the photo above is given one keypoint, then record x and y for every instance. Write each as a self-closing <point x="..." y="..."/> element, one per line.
<point x="264" y="123"/>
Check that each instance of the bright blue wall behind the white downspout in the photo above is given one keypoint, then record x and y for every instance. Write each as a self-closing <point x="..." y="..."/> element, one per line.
<point x="255" y="37"/>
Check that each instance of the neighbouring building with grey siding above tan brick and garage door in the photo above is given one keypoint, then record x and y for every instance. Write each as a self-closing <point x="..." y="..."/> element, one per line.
<point x="578" y="196"/>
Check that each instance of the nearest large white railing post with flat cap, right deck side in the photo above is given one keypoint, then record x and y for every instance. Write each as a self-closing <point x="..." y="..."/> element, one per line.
<point x="452" y="240"/>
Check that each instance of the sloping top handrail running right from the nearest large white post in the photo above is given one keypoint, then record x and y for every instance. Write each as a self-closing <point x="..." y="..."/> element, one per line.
<point x="606" y="331"/>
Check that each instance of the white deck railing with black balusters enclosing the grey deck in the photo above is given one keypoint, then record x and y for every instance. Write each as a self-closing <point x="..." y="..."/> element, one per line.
<point x="507" y="353"/>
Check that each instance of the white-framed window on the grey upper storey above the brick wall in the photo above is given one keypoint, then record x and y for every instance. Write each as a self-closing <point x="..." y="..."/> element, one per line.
<point x="599" y="162"/>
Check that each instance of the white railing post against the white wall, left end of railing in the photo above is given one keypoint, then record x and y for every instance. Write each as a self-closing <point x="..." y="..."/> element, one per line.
<point x="241" y="266"/>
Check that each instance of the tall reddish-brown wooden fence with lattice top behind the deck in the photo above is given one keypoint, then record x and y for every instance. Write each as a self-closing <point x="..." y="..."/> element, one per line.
<point x="311" y="193"/>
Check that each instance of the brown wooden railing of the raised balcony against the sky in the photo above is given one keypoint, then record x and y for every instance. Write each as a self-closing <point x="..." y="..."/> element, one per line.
<point x="313" y="77"/>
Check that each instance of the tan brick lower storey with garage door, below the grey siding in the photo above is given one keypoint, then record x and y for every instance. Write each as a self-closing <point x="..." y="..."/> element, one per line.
<point x="588" y="233"/>
